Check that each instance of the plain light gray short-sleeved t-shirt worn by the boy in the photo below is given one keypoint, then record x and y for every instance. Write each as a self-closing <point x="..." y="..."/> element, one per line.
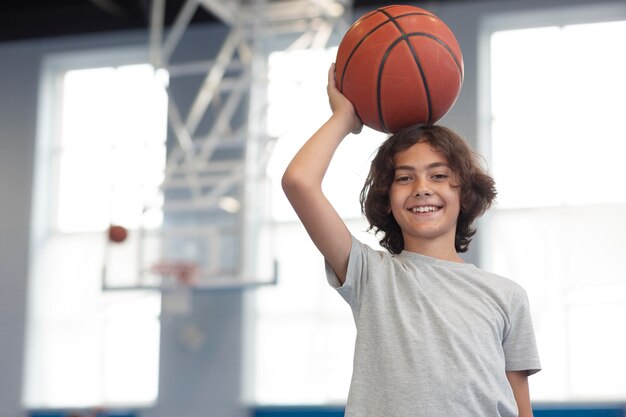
<point x="434" y="338"/>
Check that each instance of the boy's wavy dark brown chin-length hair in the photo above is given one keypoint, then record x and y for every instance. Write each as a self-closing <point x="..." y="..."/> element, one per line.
<point x="477" y="187"/>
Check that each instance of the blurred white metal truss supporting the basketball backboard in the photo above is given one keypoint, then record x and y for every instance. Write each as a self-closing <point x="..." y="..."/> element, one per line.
<point x="214" y="157"/>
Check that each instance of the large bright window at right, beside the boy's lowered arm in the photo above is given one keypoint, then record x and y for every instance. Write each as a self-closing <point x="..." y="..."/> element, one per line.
<point x="557" y="144"/>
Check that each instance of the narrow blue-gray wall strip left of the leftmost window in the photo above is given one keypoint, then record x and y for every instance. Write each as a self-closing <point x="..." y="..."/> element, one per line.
<point x="18" y="101"/>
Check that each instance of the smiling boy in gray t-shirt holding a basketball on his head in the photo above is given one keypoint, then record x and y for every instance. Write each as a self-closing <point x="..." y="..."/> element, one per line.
<point x="435" y="336"/>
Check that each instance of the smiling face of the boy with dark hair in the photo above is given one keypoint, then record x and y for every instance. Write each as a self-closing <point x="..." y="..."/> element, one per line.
<point x="425" y="198"/>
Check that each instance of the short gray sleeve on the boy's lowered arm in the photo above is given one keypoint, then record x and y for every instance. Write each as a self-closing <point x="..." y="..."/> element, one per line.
<point x="519" y="344"/>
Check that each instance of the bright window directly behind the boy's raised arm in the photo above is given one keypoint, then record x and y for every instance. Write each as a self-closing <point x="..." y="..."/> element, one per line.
<point x="304" y="332"/>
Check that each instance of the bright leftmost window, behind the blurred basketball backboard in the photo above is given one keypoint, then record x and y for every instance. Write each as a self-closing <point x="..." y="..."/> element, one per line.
<point x="101" y="159"/>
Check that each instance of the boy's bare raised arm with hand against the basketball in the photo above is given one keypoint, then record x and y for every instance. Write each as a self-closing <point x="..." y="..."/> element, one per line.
<point x="302" y="182"/>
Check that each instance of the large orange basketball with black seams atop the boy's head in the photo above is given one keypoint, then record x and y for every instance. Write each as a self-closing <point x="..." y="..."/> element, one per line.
<point x="399" y="66"/>
